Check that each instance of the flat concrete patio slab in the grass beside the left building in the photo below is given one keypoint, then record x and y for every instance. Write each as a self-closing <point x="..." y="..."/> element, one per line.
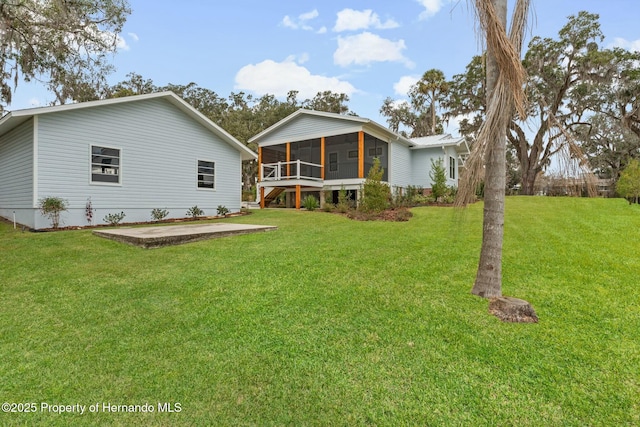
<point x="156" y="237"/>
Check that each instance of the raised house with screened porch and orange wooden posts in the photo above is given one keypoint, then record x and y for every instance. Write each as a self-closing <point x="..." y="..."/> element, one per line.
<point x="313" y="152"/>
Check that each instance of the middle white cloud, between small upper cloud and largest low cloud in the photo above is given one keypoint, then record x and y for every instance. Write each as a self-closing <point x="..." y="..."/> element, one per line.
<point x="365" y="48"/>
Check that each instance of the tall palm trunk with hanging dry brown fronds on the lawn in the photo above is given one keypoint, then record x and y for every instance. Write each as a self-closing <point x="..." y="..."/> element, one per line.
<point x="505" y="91"/>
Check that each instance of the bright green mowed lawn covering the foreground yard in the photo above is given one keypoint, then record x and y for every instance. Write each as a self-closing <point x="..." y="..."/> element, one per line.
<point x="329" y="321"/>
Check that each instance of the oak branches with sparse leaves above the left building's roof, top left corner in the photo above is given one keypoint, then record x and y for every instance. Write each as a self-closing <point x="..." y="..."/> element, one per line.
<point x="64" y="44"/>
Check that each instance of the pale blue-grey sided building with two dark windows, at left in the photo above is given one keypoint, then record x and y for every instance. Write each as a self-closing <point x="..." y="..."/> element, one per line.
<point x="127" y="155"/>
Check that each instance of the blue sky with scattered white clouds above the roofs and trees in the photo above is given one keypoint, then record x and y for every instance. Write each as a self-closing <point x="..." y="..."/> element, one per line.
<point x="367" y="49"/>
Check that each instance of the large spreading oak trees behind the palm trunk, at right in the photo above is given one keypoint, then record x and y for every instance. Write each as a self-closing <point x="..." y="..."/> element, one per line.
<point x="583" y="104"/>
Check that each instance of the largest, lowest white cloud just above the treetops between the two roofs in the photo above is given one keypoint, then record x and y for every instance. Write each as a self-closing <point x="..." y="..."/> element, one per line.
<point x="278" y="78"/>
